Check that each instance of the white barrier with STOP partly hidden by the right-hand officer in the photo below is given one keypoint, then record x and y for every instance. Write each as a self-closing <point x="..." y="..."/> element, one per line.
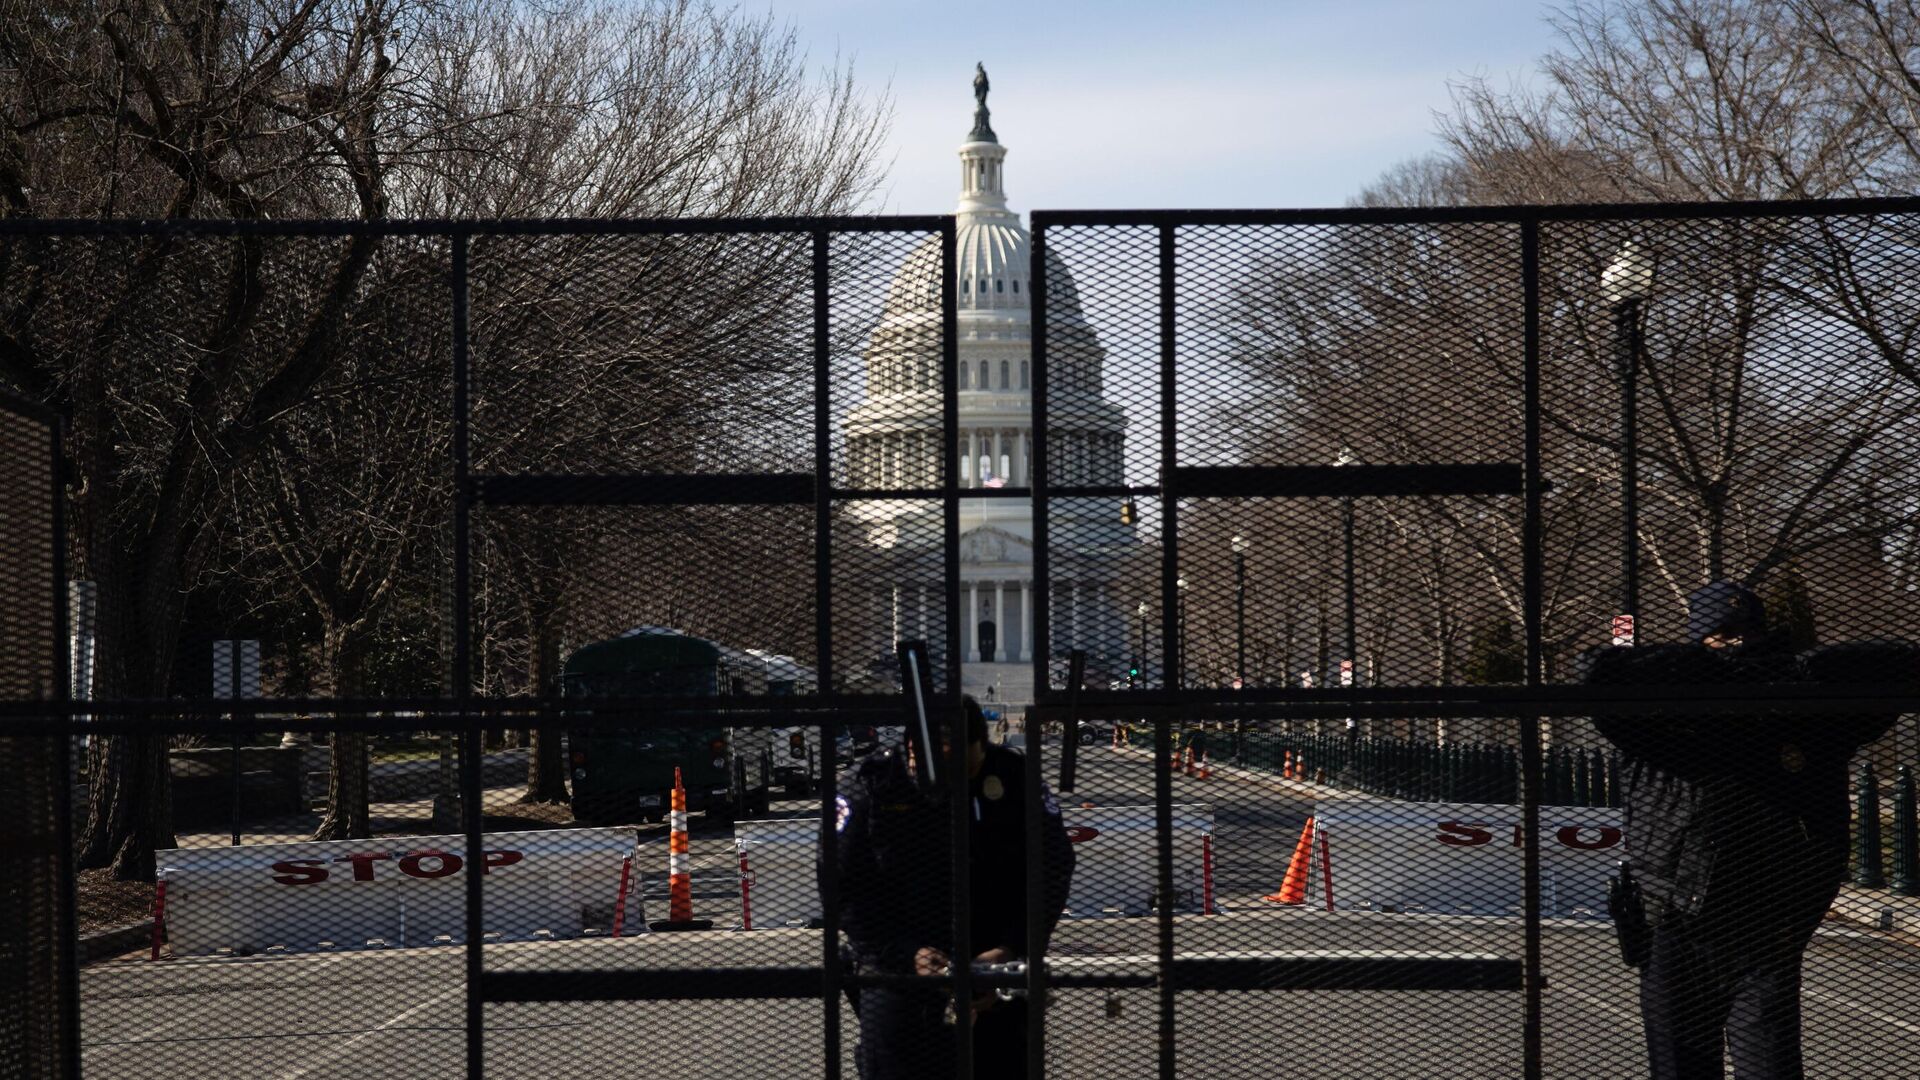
<point x="1462" y="858"/>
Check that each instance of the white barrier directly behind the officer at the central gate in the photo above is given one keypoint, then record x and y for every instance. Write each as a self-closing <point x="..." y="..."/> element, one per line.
<point x="1115" y="866"/>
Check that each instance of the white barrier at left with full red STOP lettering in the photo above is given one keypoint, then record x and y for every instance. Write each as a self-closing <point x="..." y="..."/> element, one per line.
<point x="391" y="891"/>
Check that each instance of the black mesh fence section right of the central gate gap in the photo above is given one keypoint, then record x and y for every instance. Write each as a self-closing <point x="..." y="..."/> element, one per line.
<point x="1391" y="493"/>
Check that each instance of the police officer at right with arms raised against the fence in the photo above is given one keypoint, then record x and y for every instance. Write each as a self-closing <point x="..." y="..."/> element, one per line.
<point x="1737" y="837"/>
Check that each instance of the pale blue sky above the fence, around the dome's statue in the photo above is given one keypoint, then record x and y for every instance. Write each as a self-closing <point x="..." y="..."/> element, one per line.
<point x="1199" y="105"/>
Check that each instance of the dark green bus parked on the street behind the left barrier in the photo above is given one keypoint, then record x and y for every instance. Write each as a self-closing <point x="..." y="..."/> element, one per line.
<point x="627" y="775"/>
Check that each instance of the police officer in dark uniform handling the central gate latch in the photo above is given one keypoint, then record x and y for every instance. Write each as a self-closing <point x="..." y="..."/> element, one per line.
<point x="894" y="883"/>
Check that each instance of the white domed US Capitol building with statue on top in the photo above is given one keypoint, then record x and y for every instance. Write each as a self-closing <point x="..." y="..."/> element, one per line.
<point x="894" y="443"/>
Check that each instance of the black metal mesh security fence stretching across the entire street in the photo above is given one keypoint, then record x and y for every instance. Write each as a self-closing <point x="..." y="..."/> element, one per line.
<point x="373" y="533"/>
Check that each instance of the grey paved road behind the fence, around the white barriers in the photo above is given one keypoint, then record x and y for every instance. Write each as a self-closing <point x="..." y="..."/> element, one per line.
<point x="391" y="1014"/>
